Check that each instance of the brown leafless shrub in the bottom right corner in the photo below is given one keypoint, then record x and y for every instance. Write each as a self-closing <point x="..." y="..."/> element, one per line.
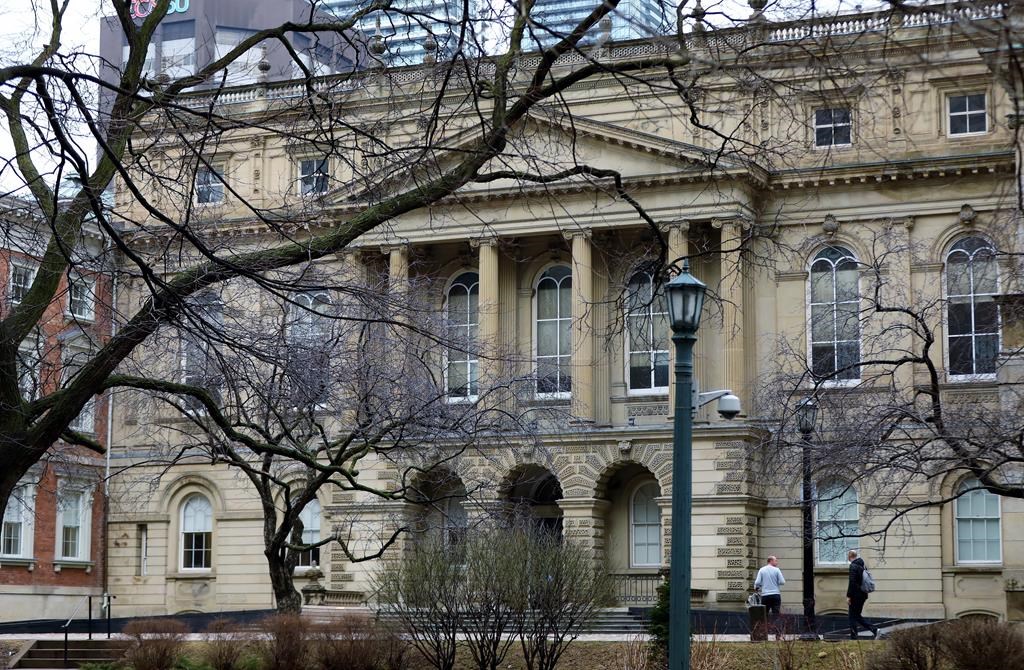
<point x="983" y="645"/>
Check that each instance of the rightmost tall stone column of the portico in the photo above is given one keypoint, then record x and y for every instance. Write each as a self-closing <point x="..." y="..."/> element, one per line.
<point x="732" y="290"/>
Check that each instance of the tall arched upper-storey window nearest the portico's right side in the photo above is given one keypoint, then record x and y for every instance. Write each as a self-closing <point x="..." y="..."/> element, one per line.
<point x="835" y="323"/>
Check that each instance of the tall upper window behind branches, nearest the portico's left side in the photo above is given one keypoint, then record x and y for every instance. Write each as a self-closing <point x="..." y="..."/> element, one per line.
<point x="309" y="352"/>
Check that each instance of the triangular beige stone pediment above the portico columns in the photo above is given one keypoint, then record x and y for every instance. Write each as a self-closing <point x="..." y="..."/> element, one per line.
<point x="541" y="148"/>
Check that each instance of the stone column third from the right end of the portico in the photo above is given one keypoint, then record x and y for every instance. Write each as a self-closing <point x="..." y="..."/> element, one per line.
<point x="583" y="326"/>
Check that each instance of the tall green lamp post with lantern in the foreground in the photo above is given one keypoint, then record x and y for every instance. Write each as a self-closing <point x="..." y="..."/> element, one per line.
<point x="686" y="295"/>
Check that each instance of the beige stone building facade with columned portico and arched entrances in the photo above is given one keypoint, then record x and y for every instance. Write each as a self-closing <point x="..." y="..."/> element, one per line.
<point x="911" y="149"/>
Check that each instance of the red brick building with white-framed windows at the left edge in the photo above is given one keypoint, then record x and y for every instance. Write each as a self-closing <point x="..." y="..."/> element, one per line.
<point x="53" y="542"/>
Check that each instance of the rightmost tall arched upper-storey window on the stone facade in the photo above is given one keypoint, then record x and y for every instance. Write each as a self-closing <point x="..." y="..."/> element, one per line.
<point x="972" y="316"/>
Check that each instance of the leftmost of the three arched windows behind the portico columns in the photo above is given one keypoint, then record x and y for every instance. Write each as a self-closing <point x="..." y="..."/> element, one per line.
<point x="462" y="314"/>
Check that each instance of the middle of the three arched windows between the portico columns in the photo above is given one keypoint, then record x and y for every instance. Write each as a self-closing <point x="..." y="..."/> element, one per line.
<point x="554" y="340"/>
